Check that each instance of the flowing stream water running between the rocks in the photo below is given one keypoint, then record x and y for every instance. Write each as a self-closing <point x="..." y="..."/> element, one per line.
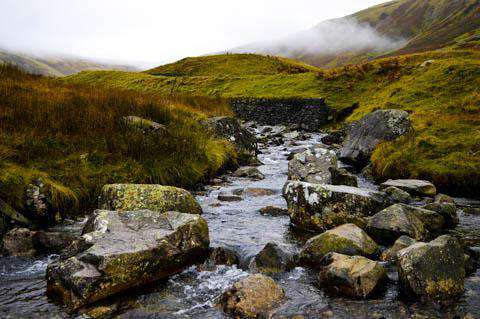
<point x="238" y="226"/>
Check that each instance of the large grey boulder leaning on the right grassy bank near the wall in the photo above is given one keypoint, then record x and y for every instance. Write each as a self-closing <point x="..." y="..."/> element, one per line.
<point x="365" y="134"/>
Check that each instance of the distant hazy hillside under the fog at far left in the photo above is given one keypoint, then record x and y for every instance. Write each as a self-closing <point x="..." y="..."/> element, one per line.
<point x="56" y="66"/>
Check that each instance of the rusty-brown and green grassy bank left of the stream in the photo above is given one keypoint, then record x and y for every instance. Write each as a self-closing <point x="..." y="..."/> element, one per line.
<point x="73" y="138"/>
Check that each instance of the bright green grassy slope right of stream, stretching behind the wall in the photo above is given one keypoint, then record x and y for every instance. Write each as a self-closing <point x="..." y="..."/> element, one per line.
<point x="442" y="98"/>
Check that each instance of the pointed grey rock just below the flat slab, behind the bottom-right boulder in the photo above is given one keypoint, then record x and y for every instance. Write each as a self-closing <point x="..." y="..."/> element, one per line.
<point x="394" y="221"/>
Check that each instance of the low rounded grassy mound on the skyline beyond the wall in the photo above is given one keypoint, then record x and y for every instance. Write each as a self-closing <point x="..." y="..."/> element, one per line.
<point x="231" y="65"/>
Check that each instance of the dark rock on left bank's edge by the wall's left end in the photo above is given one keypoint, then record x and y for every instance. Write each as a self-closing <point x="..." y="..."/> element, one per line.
<point x="229" y="128"/>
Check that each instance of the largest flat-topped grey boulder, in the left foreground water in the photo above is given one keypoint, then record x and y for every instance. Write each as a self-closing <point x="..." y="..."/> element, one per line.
<point x="127" y="249"/>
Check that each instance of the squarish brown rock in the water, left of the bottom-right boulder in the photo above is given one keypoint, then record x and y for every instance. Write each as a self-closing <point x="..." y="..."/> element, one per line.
<point x="354" y="276"/>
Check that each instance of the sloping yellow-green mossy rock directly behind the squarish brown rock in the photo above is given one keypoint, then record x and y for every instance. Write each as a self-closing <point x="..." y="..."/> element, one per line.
<point x="348" y="239"/>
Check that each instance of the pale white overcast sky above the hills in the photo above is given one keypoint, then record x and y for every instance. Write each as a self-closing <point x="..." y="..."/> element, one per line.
<point x="157" y="31"/>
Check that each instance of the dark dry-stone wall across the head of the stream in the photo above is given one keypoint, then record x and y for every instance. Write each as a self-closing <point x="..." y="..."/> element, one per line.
<point x="310" y="113"/>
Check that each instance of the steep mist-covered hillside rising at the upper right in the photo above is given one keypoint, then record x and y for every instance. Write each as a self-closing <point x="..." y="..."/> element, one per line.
<point x="396" y="27"/>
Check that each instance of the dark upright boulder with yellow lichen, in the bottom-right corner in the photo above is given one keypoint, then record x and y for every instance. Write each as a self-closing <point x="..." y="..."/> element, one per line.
<point x="434" y="270"/>
